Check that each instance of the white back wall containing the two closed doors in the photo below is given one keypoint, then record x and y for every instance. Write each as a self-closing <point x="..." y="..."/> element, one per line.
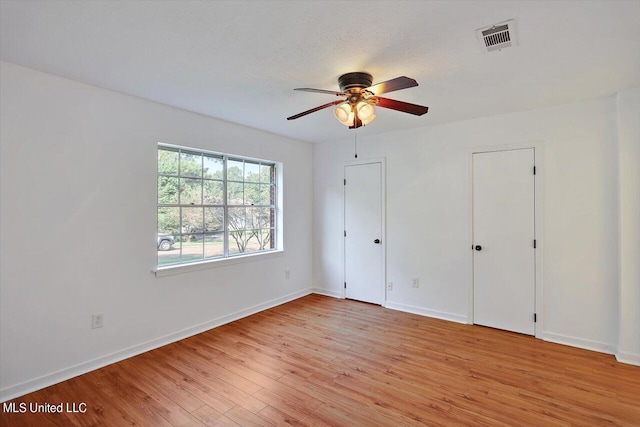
<point x="428" y="214"/>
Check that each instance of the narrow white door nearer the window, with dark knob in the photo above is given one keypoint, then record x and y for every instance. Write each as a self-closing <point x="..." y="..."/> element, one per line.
<point x="364" y="255"/>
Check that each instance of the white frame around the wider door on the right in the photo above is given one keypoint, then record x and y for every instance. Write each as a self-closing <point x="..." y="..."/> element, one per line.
<point x="538" y="226"/>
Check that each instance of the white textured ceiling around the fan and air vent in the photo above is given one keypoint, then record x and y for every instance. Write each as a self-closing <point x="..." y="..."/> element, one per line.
<point x="239" y="61"/>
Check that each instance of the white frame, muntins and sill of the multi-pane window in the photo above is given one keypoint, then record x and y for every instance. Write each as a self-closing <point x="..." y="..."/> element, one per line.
<point x="227" y="258"/>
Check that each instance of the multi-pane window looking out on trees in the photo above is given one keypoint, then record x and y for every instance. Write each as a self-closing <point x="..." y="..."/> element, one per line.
<point x="213" y="205"/>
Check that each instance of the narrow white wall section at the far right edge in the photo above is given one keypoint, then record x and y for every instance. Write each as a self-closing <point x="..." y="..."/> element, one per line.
<point x="628" y="104"/>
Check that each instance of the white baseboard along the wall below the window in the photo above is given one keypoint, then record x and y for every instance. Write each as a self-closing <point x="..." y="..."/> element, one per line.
<point x="47" y="380"/>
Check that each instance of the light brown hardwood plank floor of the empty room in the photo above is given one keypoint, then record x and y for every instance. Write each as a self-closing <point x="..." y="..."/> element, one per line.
<point x="319" y="361"/>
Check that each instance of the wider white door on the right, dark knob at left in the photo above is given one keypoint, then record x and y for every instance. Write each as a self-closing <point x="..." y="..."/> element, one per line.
<point x="503" y="240"/>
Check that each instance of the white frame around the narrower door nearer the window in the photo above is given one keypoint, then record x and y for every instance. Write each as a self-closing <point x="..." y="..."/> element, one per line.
<point x="383" y="197"/>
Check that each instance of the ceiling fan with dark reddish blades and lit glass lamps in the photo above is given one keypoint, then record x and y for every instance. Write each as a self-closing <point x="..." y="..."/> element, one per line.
<point x="356" y="108"/>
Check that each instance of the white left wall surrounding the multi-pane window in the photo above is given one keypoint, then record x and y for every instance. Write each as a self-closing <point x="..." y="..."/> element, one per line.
<point x="78" y="177"/>
